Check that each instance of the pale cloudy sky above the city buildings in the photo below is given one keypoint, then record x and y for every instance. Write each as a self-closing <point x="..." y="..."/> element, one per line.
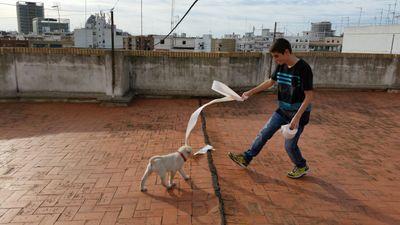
<point x="217" y="17"/>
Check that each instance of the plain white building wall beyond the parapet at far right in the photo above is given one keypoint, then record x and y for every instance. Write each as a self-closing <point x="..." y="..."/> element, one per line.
<point x="372" y="39"/>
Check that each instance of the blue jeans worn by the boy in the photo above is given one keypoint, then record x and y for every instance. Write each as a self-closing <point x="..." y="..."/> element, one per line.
<point x="273" y="125"/>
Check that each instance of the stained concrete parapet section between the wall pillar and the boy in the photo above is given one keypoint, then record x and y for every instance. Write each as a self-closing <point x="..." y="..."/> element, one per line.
<point x="164" y="75"/>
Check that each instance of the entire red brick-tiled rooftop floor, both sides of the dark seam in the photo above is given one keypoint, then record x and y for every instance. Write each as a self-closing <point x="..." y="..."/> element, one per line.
<point x="82" y="163"/>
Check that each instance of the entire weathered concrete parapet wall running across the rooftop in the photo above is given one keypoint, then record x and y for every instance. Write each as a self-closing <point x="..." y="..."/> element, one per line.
<point x="87" y="73"/>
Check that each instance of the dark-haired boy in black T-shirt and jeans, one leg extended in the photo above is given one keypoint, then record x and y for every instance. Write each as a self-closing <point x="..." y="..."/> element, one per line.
<point x="295" y="85"/>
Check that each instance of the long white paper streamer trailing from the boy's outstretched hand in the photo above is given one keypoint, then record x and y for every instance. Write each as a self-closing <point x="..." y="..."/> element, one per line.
<point x="221" y="88"/>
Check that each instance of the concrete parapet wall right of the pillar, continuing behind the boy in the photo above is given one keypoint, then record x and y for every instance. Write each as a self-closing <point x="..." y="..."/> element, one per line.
<point x="187" y="73"/>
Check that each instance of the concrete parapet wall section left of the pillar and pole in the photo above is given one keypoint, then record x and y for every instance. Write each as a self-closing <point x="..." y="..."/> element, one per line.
<point x="61" y="73"/>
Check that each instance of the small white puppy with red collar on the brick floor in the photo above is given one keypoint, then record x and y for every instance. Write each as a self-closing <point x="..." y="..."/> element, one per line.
<point x="166" y="164"/>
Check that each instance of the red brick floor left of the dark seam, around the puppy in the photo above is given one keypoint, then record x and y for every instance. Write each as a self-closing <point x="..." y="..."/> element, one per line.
<point x="82" y="164"/>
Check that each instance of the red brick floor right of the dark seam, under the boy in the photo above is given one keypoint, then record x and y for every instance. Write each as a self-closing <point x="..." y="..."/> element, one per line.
<point x="352" y="146"/>
